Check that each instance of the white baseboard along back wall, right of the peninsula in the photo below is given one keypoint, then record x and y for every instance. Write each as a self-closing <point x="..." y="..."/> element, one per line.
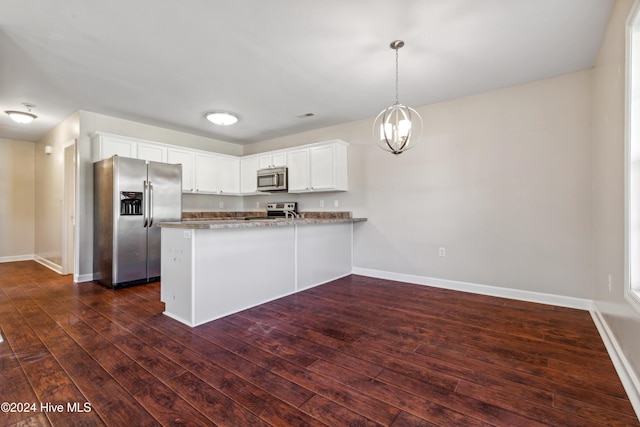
<point x="518" y="294"/>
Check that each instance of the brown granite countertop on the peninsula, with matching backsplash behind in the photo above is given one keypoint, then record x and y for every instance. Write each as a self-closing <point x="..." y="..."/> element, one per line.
<point x="216" y="220"/>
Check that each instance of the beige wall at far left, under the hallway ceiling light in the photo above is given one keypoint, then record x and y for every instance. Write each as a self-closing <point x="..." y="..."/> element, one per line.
<point x="16" y="200"/>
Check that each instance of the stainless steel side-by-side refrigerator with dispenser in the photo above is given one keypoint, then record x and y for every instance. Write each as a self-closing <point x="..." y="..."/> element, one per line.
<point x="131" y="197"/>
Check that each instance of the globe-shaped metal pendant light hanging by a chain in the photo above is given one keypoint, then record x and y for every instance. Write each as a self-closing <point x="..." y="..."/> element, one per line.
<point x="398" y="127"/>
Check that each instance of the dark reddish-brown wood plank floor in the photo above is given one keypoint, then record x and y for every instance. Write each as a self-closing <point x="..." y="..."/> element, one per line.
<point x="357" y="351"/>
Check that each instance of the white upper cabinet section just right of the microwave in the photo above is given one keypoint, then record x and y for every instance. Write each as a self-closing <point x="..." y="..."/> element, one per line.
<point x="321" y="167"/>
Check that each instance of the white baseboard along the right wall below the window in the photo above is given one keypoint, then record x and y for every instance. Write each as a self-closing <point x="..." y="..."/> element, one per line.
<point x="628" y="377"/>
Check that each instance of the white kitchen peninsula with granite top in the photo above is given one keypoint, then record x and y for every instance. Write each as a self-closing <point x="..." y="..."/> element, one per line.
<point x="213" y="268"/>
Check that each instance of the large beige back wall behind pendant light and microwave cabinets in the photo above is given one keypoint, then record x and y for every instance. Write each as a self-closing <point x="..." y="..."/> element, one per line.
<point x="500" y="179"/>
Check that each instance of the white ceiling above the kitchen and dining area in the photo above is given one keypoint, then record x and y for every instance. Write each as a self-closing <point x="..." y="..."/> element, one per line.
<point x="167" y="63"/>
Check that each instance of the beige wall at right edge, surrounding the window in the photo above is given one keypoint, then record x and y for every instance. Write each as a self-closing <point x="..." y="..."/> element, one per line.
<point x="608" y="188"/>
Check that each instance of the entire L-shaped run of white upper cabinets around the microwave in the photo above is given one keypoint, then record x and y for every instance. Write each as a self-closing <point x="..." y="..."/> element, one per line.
<point x="313" y="167"/>
